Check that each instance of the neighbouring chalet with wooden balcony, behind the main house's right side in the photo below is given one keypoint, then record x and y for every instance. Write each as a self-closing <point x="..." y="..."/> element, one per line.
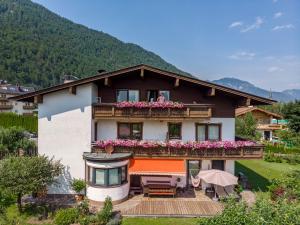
<point x="267" y="122"/>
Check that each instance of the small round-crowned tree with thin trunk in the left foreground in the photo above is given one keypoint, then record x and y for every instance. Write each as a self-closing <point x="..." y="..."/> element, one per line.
<point x="24" y="175"/>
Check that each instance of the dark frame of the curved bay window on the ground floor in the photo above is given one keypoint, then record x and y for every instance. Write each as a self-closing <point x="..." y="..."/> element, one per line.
<point x="106" y="183"/>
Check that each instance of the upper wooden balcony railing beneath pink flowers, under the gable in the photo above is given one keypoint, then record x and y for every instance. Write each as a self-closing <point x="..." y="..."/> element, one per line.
<point x="189" y="111"/>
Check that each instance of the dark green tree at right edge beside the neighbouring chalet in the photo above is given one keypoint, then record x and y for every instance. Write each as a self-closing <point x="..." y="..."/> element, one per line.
<point x="291" y="112"/>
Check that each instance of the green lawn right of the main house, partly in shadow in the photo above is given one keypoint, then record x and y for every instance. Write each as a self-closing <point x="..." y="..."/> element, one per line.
<point x="260" y="172"/>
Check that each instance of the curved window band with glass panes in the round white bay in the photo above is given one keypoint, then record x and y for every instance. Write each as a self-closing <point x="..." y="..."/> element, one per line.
<point x="107" y="177"/>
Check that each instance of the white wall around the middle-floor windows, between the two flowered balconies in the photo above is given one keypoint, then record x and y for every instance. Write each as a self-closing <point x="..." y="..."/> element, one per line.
<point x="156" y="130"/>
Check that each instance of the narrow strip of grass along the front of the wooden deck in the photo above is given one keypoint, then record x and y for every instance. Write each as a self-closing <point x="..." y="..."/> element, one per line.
<point x="160" y="221"/>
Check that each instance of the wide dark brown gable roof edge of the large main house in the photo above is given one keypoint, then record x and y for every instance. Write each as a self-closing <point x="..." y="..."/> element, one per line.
<point x="26" y="97"/>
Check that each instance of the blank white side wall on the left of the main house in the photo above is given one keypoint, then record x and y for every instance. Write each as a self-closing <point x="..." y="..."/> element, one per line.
<point x="65" y="127"/>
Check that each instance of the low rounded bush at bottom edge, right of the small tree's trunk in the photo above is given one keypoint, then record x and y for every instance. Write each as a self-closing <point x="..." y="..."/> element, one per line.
<point x="66" y="216"/>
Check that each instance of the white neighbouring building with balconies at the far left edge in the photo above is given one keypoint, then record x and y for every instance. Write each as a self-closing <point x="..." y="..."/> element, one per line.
<point x="6" y="105"/>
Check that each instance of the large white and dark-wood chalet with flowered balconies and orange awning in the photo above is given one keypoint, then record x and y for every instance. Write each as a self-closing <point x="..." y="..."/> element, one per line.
<point x="72" y="116"/>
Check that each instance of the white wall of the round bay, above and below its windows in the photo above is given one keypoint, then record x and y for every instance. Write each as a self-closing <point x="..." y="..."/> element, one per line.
<point x="100" y="193"/>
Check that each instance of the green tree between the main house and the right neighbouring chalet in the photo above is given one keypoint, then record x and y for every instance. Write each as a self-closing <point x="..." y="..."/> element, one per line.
<point x="246" y="127"/>
